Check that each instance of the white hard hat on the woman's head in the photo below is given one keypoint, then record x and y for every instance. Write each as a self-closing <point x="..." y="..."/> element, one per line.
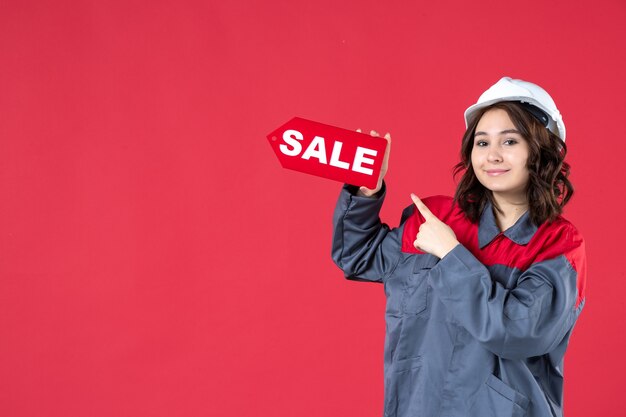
<point x="508" y="89"/>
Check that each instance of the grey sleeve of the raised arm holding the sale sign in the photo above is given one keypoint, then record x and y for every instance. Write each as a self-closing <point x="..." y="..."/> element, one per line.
<point x="363" y="247"/>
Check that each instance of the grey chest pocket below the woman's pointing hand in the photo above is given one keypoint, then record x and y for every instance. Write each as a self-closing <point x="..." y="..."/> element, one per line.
<point x="415" y="291"/>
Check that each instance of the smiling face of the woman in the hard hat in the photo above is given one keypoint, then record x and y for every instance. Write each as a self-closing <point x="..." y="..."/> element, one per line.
<point x="499" y="156"/>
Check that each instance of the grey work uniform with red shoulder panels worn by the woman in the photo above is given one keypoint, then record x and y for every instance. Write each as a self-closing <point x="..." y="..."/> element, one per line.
<point x="481" y="332"/>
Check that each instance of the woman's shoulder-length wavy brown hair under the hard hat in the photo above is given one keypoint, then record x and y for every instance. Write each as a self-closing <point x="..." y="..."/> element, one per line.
<point x="548" y="189"/>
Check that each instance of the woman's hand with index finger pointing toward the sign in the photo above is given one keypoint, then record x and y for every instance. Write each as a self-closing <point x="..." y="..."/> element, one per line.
<point x="434" y="236"/>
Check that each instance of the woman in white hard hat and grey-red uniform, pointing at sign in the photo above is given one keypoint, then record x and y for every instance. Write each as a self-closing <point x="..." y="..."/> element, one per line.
<point x="483" y="289"/>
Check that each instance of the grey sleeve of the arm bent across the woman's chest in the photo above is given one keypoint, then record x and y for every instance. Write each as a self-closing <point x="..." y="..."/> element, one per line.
<point x="528" y="320"/>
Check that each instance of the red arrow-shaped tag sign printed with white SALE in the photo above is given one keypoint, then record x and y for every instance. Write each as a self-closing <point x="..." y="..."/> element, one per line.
<point x="330" y="152"/>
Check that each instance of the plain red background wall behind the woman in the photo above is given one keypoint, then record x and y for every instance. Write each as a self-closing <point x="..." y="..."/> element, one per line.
<point x="155" y="259"/>
